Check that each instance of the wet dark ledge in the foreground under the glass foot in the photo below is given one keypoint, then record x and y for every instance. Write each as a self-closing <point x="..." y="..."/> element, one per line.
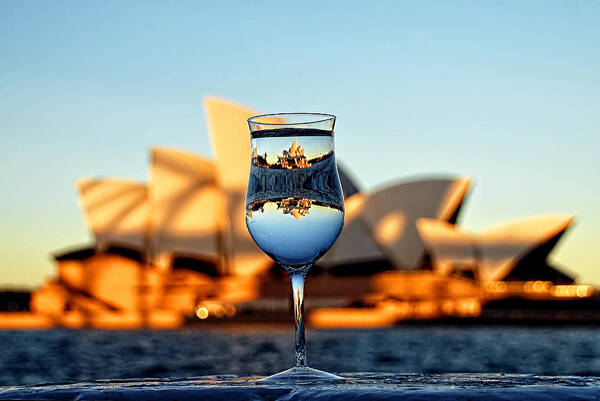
<point x="359" y="386"/>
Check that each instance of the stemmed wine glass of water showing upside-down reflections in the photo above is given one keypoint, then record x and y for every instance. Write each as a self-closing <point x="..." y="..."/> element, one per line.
<point x="294" y="207"/>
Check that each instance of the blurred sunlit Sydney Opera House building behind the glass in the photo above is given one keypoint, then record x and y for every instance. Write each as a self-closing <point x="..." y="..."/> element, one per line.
<point x="175" y="250"/>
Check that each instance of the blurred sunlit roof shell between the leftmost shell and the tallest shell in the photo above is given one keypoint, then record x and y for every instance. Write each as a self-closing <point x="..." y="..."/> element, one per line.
<point x="187" y="207"/>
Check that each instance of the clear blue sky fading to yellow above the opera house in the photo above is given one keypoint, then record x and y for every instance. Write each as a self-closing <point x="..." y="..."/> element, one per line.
<point x="504" y="92"/>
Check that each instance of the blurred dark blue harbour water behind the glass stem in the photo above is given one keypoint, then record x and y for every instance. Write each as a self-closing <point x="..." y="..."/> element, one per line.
<point x="30" y="357"/>
